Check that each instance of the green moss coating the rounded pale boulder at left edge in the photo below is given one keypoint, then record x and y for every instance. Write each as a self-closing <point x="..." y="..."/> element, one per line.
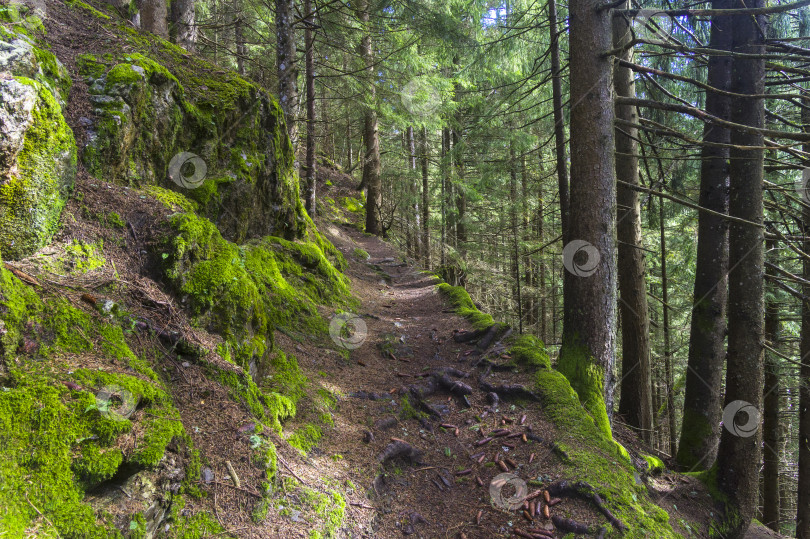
<point x="31" y="201"/>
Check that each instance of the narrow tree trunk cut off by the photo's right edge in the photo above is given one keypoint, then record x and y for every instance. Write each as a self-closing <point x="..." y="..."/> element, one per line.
<point x="803" y="497"/>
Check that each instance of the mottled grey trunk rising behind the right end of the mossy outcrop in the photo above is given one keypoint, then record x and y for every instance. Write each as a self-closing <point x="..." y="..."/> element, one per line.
<point x="287" y="72"/>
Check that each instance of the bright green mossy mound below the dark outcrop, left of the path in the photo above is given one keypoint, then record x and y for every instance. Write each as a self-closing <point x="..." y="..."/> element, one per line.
<point x="247" y="292"/>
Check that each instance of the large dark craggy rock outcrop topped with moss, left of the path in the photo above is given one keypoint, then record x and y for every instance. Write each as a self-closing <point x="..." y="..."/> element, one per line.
<point x="222" y="144"/>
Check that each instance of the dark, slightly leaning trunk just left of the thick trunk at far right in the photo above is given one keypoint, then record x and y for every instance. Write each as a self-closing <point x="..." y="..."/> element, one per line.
<point x="700" y="433"/>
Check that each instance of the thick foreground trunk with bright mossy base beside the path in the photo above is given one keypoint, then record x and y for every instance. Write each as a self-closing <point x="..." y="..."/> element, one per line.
<point x="587" y="356"/>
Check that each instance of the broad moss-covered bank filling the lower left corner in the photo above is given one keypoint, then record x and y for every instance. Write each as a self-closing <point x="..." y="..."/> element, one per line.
<point x="60" y="429"/>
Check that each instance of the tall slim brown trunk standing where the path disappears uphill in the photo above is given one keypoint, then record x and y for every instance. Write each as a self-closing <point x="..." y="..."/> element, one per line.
<point x="371" y="164"/>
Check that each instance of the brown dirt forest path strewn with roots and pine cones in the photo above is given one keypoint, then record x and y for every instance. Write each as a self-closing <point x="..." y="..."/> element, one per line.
<point x="410" y="327"/>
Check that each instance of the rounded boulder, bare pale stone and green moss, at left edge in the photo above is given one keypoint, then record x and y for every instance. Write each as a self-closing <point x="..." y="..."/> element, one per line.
<point x="37" y="165"/>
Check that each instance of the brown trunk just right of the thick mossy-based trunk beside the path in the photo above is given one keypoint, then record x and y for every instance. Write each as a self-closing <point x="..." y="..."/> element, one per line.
<point x="635" y="404"/>
